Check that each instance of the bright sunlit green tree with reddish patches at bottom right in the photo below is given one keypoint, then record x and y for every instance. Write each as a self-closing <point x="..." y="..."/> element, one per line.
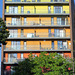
<point x="52" y="64"/>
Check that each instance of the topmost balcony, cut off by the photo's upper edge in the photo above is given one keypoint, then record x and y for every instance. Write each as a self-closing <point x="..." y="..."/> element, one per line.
<point x="36" y="1"/>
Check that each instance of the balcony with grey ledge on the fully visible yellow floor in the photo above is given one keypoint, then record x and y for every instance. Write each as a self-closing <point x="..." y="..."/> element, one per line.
<point x="36" y="12"/>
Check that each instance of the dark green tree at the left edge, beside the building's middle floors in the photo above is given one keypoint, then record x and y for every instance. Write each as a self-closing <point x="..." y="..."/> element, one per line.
<point x="3" y="31"/>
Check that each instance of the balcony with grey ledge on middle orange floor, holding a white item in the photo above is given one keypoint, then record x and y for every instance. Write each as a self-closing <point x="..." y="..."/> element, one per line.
<point x="40" y="35"/>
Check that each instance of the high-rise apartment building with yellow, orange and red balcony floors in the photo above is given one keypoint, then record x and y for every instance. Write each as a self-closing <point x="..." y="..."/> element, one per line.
<point x="36" y="26"/>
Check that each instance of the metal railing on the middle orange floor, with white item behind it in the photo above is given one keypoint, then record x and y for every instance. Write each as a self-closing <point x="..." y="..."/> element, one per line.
<point x="39" y="35"/>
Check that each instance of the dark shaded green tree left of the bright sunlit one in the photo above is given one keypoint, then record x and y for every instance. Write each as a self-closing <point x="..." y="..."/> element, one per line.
<point x="23" y="68"/>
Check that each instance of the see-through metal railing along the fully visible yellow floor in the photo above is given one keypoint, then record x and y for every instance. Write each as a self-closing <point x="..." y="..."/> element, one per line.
<point x="36" y="11"/>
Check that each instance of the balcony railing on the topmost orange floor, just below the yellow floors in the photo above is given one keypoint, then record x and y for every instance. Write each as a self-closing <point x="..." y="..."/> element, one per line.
<point x="39" y="23"/>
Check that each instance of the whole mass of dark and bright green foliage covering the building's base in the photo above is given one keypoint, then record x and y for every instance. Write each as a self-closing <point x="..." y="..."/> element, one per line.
<point x="52" y="64"/>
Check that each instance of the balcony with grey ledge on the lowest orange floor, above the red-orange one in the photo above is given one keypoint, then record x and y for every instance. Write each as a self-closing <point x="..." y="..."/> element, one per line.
<point x="28" y="48"/>
